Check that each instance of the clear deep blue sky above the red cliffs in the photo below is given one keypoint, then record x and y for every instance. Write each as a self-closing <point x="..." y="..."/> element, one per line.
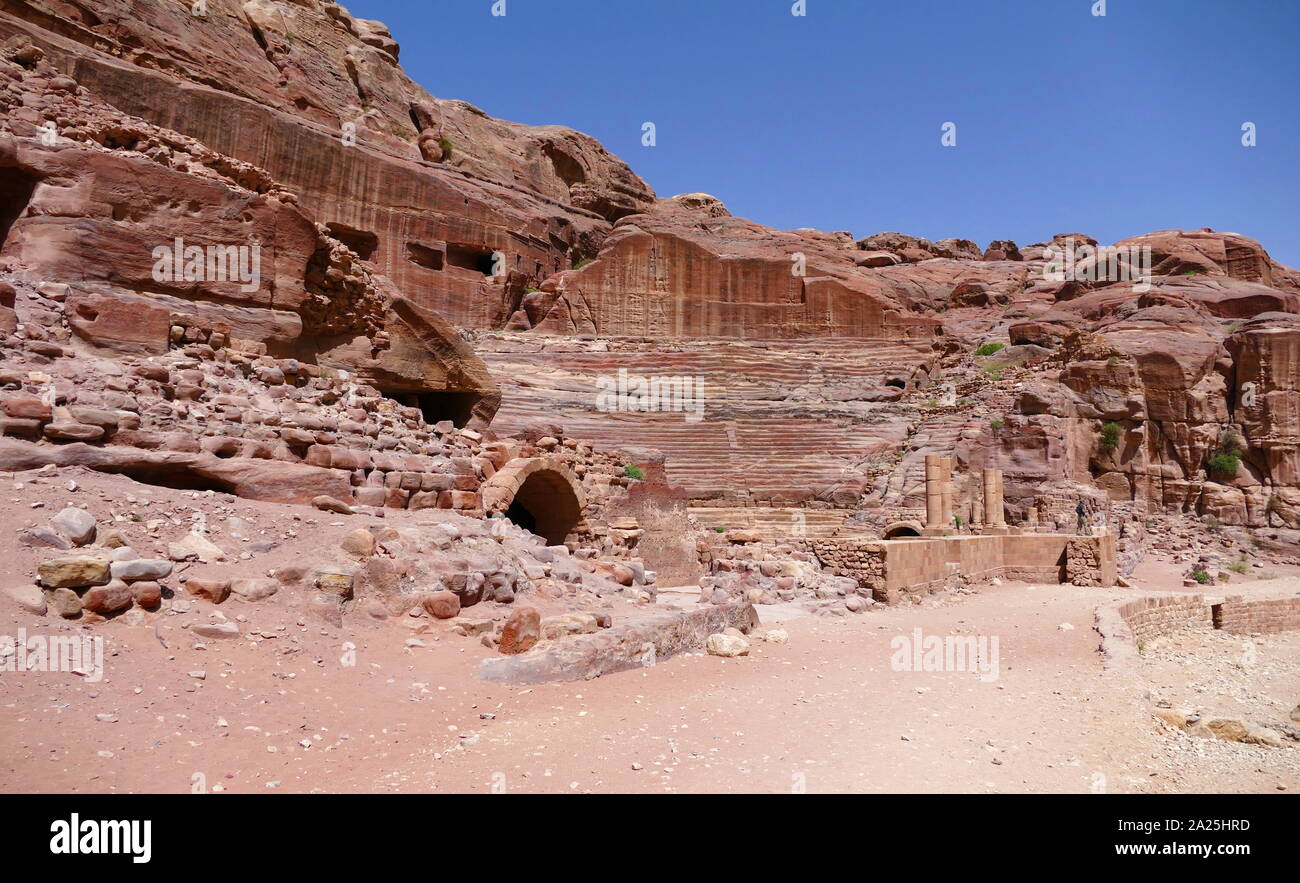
<point x="1065" y="122"/>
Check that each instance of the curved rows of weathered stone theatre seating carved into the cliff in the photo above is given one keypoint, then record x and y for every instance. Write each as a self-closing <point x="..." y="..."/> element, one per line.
<point x="785" y="422"/>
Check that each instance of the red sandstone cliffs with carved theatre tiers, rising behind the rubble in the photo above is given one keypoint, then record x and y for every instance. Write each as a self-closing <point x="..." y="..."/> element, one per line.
<point x="492" y="274"/>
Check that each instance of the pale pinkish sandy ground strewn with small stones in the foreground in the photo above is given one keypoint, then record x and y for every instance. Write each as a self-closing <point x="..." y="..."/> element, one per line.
<point x="304" y="707"/>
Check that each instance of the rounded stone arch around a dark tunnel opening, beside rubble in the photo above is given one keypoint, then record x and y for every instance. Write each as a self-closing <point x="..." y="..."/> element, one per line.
<point x="540" y="495"/>
